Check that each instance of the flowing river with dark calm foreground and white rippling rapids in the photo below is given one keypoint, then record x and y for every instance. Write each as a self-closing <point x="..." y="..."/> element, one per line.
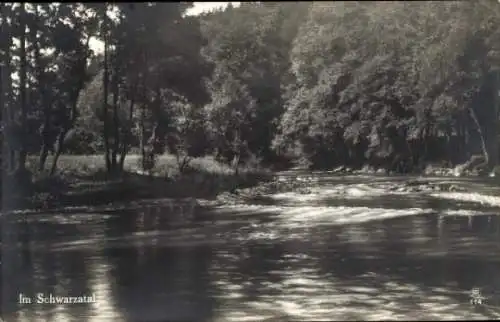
<point x="348" y="248"/>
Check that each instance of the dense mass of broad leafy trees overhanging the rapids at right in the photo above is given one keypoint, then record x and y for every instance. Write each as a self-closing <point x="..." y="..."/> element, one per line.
<point x="394" y="84"/>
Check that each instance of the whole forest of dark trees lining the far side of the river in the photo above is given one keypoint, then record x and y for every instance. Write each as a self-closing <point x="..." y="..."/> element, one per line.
<point x="395" y="85"/>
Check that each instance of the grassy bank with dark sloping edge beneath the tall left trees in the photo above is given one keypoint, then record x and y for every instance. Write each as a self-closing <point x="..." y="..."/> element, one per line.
<point x="82" y="180"/>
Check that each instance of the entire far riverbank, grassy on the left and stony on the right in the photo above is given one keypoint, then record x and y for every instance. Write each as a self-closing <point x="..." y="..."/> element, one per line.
<point x="82" y="182"/>
